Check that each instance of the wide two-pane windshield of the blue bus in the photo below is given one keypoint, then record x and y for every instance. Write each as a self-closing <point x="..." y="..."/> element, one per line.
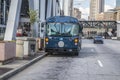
<point x="62" y="29"/>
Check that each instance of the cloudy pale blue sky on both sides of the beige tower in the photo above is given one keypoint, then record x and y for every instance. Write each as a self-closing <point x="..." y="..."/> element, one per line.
<point x="84" y="5"/>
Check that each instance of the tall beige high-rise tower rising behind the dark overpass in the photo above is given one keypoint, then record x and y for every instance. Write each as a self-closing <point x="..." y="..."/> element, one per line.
<point x="96" y="7"/>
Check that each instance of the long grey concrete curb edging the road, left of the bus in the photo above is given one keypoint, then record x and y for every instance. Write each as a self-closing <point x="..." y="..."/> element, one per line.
<point x="21" y="68"/>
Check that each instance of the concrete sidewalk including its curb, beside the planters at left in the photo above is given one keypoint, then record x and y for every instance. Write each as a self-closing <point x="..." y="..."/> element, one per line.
<point x="18" y="65"/>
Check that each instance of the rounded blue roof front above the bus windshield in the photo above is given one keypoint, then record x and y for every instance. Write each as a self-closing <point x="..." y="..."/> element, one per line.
<point x="62" y="19"/>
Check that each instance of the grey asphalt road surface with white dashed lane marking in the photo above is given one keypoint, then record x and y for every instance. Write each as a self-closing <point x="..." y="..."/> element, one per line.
<point x="95" y="62"/>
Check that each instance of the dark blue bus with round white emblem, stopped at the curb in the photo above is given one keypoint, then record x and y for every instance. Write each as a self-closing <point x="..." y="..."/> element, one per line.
<point x="63" y="35"/>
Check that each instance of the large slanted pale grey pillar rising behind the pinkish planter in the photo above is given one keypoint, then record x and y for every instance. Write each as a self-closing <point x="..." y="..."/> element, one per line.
<point x="13" y="20"/>
